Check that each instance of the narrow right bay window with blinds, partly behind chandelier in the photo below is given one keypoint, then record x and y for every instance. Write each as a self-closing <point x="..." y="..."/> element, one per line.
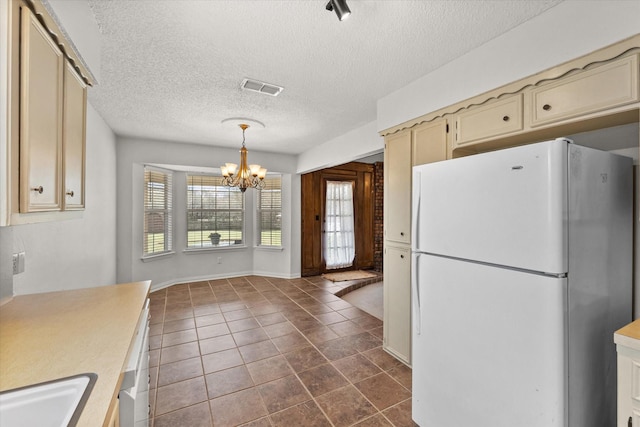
<point x="269" y="212"/>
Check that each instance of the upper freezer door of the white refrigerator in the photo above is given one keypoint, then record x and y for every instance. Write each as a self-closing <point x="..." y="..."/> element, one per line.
<point x="506" y="207"/>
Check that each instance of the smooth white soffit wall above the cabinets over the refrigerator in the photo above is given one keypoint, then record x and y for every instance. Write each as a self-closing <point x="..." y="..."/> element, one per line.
<point x="564" y="32"/>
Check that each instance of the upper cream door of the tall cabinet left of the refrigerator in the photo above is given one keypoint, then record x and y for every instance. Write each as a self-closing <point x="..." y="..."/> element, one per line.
<point x="397" y="187"/>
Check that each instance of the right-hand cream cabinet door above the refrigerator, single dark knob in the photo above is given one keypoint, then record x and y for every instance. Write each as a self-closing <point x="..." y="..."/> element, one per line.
<point x="602" y="88"/>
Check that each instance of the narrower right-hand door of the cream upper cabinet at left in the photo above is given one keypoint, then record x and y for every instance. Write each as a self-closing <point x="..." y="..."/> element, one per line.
<point x="74" y="131"/>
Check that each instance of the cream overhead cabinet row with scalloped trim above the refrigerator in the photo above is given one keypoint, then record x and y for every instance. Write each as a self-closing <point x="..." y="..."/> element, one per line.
<point x="595" y="91"/>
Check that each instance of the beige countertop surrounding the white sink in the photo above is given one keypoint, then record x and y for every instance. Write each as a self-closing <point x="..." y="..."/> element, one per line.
<point x="59" y="334"/>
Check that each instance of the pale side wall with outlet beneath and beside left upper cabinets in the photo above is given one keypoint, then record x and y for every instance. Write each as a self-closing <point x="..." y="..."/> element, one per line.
<point x="76" y="253"/>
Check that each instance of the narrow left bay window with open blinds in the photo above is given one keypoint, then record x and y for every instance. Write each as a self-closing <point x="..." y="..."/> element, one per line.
<point x="158" y="212"/>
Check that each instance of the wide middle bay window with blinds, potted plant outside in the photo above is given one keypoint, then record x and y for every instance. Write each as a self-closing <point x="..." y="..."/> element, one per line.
<point x="215" y="213"/>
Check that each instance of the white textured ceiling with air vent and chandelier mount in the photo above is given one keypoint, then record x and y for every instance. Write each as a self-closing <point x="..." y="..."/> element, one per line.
<point x="172" y="69"/>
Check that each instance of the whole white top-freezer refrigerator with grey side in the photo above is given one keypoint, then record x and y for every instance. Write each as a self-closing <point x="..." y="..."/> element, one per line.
<point x="521" y="272"/>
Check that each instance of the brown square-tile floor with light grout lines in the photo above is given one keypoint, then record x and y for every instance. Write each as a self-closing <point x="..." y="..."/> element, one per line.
<point x="259" y="351"/>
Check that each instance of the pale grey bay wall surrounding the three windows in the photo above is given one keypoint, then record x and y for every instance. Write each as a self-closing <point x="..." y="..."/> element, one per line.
<point x="182" y="266"/>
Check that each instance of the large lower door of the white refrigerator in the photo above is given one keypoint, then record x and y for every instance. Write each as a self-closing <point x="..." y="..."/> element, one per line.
<point x="490" y="347"/>
